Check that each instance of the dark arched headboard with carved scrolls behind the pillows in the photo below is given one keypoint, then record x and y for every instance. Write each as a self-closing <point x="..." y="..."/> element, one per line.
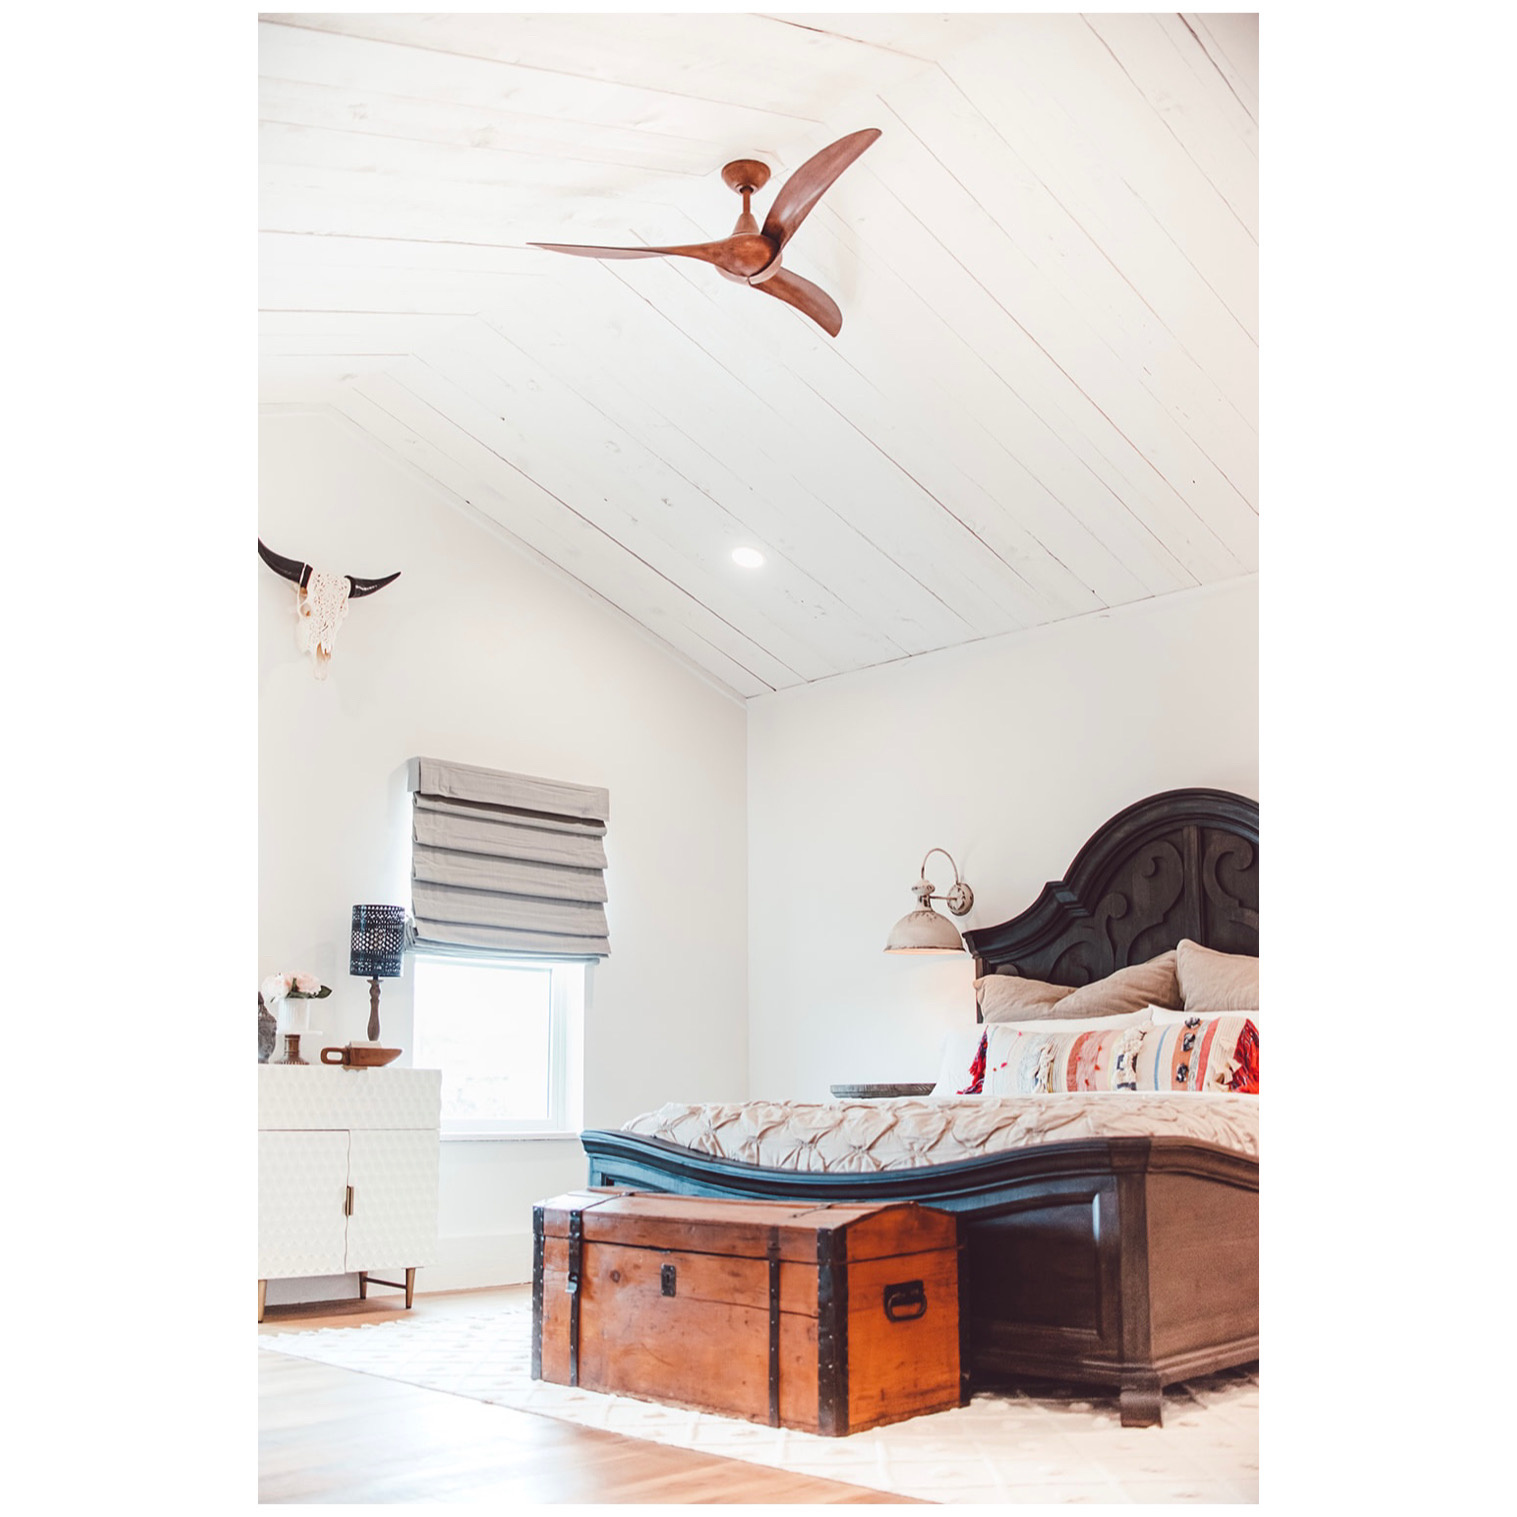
<point x="1183" y="864"/>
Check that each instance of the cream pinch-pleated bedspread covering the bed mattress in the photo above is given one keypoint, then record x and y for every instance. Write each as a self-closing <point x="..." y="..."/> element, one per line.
<point x="906" y="1134"/>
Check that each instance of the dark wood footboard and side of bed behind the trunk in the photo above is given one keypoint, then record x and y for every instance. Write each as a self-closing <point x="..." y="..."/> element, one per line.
<point x="1128" y="1263"/>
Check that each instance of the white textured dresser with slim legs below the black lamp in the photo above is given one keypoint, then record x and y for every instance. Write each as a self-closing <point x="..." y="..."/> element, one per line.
<point x="347" y="1173"/>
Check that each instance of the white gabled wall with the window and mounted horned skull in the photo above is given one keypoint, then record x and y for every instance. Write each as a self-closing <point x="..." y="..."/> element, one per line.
<point x="480" y="655"/>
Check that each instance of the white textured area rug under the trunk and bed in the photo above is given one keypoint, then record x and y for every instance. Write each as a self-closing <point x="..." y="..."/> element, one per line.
<point x="1000" y="1448"/>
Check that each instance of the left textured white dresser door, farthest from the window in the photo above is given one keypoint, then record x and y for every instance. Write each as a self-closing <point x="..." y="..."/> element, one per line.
<point x="303" y="1186"/>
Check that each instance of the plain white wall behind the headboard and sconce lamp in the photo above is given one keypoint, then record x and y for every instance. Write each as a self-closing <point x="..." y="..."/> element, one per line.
<point x="1007" y="753"/>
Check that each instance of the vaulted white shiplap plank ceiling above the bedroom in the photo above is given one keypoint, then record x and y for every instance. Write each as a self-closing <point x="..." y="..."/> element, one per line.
<point x="1044" y="400"/>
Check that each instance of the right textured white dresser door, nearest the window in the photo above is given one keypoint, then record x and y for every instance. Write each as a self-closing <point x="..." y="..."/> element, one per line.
<point x="394" y="1175"/>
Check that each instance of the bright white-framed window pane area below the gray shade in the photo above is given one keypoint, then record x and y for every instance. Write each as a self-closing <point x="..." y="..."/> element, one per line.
<point x="507" y="1035"/>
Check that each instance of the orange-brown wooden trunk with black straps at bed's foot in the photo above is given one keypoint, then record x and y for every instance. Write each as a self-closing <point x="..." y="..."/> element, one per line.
<point x="829" y="1319"/>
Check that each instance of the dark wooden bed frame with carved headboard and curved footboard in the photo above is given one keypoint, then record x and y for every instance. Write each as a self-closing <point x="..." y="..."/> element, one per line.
<point x="1126" y="1263"/>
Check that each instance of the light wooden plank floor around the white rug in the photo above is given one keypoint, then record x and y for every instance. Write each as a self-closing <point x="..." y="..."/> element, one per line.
<point x="339" y="1436"/>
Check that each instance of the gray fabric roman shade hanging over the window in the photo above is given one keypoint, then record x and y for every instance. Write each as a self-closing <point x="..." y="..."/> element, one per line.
<point x="507" y="864"/>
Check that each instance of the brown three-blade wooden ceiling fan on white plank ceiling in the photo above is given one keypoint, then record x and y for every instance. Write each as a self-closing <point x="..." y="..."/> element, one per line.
<point x="753" y="256"/>
